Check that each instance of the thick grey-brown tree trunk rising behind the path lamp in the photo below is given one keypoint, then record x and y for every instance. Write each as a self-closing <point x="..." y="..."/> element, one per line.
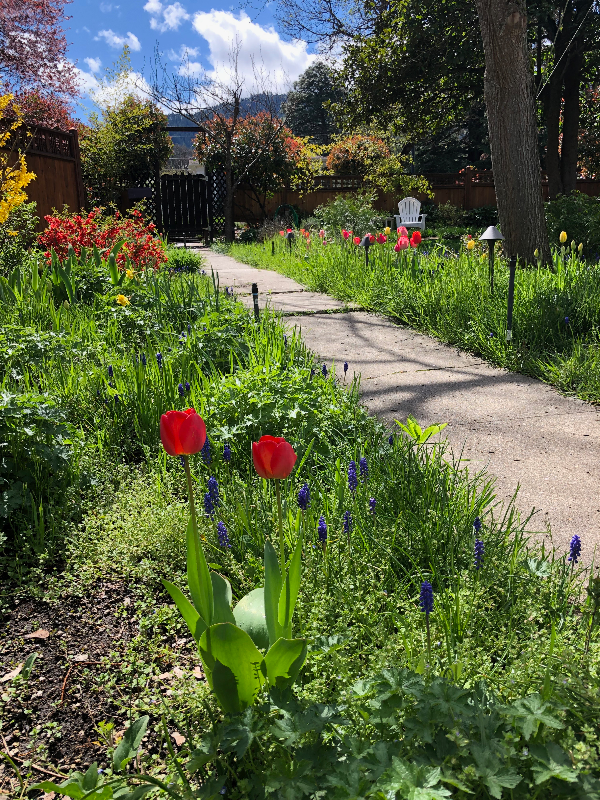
<point x="509" y="100"/>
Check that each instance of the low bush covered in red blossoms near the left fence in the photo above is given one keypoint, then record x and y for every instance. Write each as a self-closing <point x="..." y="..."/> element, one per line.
<point x="141" y="246"/>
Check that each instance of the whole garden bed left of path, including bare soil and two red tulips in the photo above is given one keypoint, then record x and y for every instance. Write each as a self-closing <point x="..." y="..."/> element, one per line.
<point x="445" y="653"/>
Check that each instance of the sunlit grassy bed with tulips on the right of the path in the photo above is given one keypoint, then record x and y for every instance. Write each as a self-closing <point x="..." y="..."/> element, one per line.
<point x="446" y="293"/>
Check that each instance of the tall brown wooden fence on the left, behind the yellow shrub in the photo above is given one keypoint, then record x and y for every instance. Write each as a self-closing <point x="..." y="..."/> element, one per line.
<point x="54" y="158"/>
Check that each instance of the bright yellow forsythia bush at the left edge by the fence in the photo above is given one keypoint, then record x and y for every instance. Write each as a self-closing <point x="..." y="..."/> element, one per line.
<point x="14" y="177"/>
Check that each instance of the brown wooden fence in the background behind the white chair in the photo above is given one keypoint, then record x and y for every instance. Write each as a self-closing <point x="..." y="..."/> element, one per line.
<point x="468" y="189"/>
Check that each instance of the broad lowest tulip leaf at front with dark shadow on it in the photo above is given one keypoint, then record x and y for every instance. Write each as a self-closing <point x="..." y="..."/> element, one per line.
<point x="232" y="664"/>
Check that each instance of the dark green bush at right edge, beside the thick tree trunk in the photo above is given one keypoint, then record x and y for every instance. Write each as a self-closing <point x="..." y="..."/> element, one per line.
<point x="578" y="215"/>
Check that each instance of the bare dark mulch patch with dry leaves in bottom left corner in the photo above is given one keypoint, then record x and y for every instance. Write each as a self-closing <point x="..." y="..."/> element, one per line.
<point x="48" y="724"/>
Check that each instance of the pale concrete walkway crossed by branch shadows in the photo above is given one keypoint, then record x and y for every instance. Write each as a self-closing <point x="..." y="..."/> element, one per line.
<point x="522" y="430"/>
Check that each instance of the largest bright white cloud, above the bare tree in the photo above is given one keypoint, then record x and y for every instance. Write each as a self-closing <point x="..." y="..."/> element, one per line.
<point x="260" y="48"/>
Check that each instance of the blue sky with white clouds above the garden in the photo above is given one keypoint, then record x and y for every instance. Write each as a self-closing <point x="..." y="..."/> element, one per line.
<point x="98" y="31"/>
